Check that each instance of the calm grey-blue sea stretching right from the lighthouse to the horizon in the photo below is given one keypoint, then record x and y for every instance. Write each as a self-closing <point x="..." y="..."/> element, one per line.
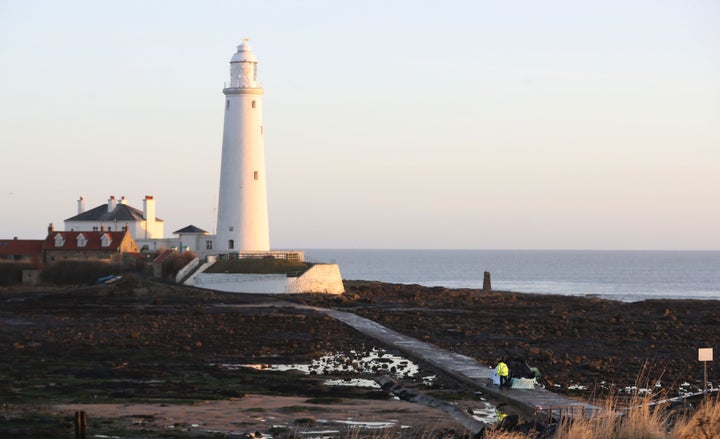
<point x="627" y="276"/>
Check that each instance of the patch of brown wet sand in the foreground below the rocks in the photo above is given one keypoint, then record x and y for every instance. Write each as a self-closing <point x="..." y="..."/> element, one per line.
<point x="262" y="413"/>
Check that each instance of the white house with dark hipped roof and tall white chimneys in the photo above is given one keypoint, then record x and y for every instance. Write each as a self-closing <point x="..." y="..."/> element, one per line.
<point x="117" y="215"/>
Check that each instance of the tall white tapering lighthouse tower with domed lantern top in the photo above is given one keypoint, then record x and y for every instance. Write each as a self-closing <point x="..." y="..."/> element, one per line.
<point x="242" y="219"/>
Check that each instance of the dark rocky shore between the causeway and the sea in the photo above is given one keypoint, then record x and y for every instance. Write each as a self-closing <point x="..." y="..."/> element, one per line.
<point x="595" y="343"/>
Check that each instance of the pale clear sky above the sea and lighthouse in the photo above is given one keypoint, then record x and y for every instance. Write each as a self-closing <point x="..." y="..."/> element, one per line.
<point x="388" y="124"/>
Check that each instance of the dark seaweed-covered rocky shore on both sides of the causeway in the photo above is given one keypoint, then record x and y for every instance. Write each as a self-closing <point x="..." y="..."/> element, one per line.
<point x="143" y="342"/>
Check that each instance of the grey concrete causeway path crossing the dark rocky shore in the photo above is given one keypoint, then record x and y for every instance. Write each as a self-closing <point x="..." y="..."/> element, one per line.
<point x="534" y="401"/>
